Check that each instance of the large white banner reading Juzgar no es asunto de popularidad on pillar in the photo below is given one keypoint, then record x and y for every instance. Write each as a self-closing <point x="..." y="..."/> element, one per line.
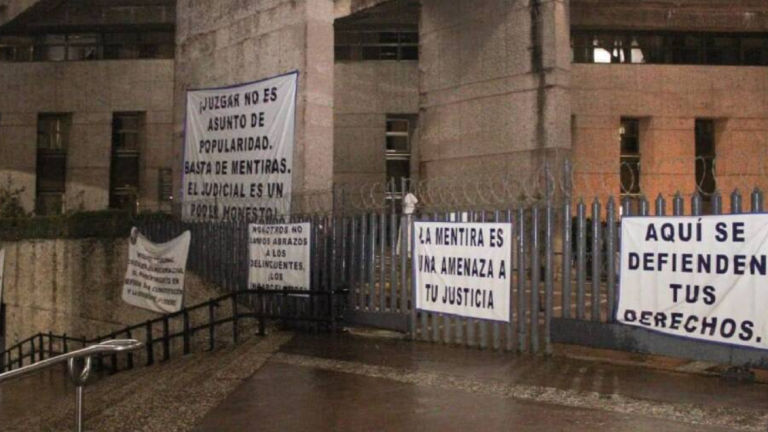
<point x="238" y="150"/>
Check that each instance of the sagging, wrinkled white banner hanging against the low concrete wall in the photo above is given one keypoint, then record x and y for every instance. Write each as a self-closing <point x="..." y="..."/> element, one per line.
<point x="155" y="276"/>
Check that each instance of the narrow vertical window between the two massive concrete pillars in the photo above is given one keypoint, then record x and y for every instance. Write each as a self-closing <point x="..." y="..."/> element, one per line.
<point x="398" y="151"/>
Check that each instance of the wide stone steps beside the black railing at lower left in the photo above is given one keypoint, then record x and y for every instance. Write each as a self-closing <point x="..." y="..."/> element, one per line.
<point x="168" y="396"/>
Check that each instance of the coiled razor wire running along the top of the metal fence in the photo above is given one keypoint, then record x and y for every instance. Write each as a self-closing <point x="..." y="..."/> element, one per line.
<point x="501" y="185"/>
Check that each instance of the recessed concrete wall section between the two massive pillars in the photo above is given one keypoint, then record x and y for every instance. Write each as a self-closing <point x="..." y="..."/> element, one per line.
<point x="365" y="93"/>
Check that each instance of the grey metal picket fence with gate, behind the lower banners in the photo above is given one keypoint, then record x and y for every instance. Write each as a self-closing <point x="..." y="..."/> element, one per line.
<point x="565" y="256"/>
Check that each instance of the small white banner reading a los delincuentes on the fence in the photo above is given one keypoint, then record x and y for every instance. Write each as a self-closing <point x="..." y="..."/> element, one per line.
<point x="279" y="256"/>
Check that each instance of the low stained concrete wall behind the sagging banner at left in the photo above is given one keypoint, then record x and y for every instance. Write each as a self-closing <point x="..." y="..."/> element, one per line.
<point x="74" y="287"/>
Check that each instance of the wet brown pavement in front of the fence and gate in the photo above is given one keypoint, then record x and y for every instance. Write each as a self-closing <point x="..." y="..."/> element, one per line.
<point x="340" y="383"/>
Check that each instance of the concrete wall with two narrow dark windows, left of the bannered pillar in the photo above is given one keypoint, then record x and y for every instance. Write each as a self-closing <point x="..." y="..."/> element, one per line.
<point x="91" y="92"/>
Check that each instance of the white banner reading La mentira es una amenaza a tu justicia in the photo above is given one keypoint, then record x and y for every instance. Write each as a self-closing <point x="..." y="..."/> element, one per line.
<point x="463" y="268"/>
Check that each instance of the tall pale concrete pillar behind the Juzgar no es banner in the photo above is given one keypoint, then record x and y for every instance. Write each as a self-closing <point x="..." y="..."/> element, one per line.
<point x="229" y="42"/>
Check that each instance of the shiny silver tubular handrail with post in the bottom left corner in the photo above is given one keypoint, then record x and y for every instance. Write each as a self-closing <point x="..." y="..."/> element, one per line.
<point x="78" y="373"/>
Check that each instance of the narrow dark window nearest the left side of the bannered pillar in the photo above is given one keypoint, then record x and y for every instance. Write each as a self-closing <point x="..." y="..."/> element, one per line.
<point x="124" y="171"/>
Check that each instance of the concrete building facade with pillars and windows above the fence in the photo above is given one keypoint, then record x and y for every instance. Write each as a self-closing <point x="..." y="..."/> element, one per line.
<point x="640" y="97"/>
